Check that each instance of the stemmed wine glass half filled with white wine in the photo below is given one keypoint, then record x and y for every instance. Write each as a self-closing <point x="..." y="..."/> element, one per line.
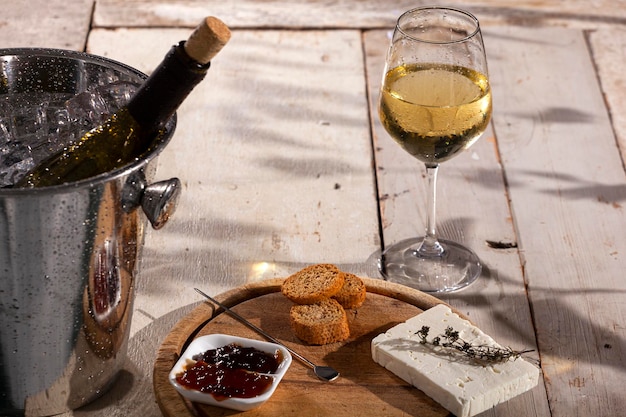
<point x="435" y="102"/>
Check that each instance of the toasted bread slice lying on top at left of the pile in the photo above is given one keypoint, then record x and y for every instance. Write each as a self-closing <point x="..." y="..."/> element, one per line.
<point x="313" y="284"/>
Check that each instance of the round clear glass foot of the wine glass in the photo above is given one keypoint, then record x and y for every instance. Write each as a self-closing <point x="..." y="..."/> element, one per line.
<point x="457" y="268"/>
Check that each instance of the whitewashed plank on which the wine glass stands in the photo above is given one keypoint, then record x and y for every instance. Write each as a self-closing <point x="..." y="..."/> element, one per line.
<point x="472" y="208"/>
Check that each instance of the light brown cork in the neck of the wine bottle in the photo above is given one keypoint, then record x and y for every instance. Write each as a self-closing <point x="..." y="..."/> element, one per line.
<point x="207" y="40"/>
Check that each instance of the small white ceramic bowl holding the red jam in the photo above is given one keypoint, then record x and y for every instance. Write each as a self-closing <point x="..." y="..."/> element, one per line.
<point x="213" y="341"/>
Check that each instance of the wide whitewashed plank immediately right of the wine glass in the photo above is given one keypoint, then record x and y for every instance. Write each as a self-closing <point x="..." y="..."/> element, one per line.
<point x="566" y="183"/>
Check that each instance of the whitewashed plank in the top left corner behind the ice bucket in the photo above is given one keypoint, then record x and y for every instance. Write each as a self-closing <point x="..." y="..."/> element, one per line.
<point x="45" y="23"/>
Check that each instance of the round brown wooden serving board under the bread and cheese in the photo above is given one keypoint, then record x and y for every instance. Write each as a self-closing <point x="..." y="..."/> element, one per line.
<point x="364" y="387"/>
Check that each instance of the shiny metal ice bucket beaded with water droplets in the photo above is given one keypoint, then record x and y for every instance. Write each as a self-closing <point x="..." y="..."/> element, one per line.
<point x="69" y="254"/>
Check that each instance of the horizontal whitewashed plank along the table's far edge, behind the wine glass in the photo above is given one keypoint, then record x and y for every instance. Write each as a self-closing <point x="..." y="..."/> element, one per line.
<point x="344" y="13"/>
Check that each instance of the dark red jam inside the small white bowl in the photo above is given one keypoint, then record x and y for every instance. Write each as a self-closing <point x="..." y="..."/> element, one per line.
<point x="230" y="371"/>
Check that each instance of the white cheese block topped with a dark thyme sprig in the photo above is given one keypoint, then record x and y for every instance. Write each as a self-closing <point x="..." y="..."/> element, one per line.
<point x="464" y="387"/>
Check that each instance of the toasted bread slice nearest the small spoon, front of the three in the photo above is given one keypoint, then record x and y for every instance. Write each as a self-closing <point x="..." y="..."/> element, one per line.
<point x="320" y="323"/>
